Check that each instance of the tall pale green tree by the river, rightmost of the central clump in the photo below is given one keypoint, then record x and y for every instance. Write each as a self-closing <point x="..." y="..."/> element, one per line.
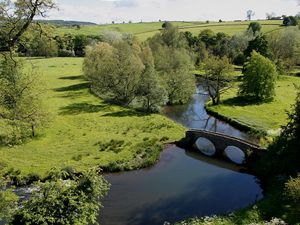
<point x="174" y="64"/>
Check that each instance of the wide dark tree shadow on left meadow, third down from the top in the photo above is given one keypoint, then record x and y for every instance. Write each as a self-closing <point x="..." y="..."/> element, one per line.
<point x="78" y="108"/>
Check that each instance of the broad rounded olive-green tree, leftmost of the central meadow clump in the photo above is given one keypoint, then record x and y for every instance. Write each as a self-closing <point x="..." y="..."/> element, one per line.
<point x="114" y="71"/>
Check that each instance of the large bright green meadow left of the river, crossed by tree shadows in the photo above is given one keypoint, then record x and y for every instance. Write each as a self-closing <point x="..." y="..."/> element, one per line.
<point x="85" y="131"/>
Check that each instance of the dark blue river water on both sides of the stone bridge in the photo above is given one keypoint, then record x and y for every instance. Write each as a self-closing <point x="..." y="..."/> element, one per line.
<point x="184" y="183"/>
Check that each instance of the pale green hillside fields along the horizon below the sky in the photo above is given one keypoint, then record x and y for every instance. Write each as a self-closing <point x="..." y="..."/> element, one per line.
<point x="146" y="30"/>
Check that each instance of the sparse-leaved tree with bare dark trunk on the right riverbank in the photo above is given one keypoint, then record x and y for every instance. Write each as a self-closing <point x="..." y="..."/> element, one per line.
<point x="216" y="76"/>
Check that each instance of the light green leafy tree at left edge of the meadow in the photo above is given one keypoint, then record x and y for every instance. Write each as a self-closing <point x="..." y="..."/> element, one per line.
<point x="20" y="101"/>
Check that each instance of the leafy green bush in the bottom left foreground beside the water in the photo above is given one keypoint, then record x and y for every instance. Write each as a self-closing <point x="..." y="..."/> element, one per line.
<point x="64" y="201"/>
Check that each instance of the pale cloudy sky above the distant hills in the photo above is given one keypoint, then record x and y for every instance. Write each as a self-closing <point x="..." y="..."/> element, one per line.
<point x="106" y="11"/>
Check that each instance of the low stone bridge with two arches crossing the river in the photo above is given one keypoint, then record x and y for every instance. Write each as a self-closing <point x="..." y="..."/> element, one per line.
<point x="220" y="145"/>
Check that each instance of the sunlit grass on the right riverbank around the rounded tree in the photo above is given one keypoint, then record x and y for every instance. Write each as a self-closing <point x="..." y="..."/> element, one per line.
<point x="267" y="117"/>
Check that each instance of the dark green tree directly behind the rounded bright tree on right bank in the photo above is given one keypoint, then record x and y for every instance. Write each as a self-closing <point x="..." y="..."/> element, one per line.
<point x="258" y="44"/>
